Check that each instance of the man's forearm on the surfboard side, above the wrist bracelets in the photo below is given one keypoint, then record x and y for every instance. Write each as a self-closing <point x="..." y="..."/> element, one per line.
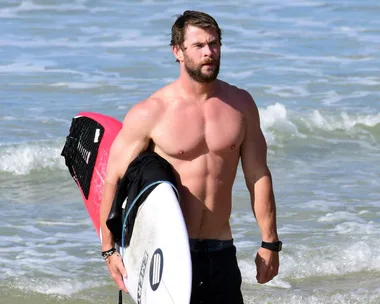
<point x="105" y="207"/>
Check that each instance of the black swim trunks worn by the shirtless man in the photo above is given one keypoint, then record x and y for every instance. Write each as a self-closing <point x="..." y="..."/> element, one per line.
<point x="216" y="275"/>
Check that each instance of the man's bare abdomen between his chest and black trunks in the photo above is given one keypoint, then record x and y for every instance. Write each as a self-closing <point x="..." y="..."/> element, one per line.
<point x="205" y="186"/>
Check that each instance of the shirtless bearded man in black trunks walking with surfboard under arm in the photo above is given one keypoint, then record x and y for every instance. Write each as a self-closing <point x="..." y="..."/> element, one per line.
<point x="202" y="126"/>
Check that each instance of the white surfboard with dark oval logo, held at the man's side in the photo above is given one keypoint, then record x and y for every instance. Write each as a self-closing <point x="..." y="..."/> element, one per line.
<point x="158" y="263"/>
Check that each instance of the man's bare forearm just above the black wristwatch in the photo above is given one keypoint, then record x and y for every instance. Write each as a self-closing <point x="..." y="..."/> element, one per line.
<point x="264" y="207"/>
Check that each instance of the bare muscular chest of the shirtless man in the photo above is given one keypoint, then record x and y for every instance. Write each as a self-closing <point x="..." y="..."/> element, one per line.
<point x="195" y="130"/>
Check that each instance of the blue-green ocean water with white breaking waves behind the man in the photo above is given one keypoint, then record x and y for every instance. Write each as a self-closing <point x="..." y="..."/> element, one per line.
<point x="313" y="68"/>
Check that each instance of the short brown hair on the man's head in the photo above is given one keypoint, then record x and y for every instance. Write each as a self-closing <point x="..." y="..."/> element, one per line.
<point x="194" y="18"/>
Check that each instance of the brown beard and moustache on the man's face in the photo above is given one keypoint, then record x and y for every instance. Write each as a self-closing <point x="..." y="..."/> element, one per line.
<point x="195" y="72"/>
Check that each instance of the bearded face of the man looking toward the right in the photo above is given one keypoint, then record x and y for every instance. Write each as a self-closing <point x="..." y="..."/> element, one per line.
<point x="201" y="50"/>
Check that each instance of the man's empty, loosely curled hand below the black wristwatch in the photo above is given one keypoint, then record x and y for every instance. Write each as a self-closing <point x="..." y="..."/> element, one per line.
<point x="267" y="264"/>
